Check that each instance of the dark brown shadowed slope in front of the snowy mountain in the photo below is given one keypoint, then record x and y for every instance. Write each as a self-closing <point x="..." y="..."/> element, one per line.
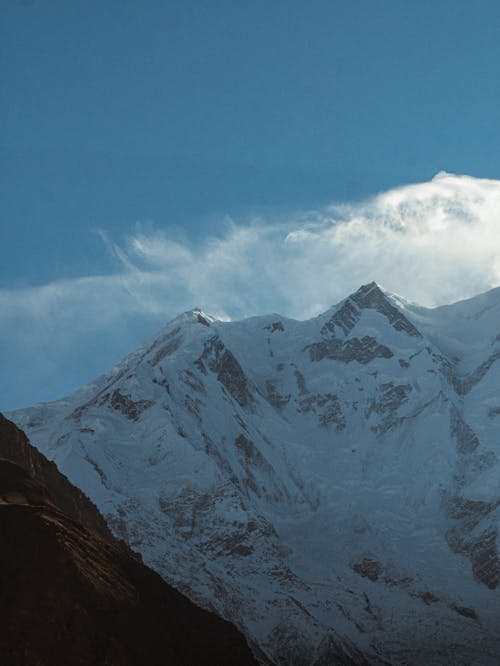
<point x="72" y="595"/>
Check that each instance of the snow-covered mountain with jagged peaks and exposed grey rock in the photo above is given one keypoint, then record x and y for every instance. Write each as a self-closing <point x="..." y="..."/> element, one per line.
<point x="331" y="486"/>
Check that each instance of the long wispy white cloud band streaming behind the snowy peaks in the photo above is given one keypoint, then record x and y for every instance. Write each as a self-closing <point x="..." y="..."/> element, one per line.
<point x="432" y="243"/>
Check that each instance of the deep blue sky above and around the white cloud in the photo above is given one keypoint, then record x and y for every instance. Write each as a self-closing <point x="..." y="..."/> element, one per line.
<point x="192" y="117"/>
